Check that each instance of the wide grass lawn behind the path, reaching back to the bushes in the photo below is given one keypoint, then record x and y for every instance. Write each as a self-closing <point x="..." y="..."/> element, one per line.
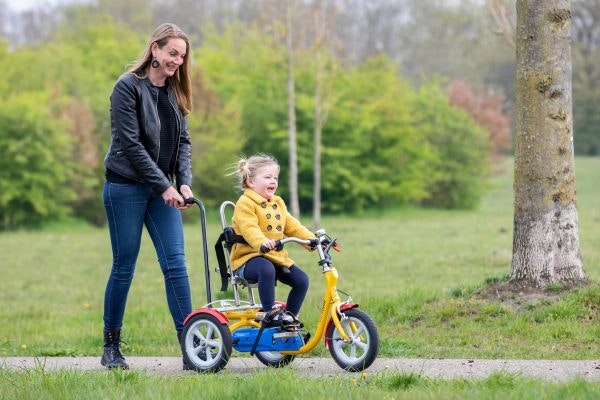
<point x="415" y="271"/>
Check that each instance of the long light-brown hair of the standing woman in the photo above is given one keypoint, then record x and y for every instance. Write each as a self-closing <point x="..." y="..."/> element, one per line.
<point x="180" y="82"/>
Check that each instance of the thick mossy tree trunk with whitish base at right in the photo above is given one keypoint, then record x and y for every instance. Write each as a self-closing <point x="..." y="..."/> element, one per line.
<point x="546" y="235"/>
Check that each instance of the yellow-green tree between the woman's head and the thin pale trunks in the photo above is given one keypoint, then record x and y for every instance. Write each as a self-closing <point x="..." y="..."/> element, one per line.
<point x="246" y="70"/>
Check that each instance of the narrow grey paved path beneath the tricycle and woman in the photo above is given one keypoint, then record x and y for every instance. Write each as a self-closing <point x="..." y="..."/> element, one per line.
<point x="552" y="370"/>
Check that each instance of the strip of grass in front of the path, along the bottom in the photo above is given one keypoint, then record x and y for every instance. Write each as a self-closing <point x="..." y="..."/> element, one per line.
<point x="273" y="384"/>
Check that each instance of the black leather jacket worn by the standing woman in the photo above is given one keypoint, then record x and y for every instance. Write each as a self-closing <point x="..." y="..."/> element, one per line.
<point x="135" y="135"/>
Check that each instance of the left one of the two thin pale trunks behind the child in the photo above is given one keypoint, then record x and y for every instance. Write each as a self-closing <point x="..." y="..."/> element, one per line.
<point x="293" y="151"/>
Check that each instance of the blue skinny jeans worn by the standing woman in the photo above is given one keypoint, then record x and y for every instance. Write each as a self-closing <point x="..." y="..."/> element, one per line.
<point x="128" y="208"/>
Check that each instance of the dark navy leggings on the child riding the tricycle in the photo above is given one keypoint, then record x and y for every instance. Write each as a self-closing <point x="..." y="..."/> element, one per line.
<point x="264" y="272"/>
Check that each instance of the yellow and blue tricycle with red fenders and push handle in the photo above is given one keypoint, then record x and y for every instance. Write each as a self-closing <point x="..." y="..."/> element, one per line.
<point x="212" y="331"/>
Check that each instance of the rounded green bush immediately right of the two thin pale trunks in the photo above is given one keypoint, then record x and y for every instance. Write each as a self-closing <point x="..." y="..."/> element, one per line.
<point x="373" y="155"/>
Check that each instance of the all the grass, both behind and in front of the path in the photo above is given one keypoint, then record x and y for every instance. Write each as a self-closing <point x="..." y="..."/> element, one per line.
<point x="415" y="271"/>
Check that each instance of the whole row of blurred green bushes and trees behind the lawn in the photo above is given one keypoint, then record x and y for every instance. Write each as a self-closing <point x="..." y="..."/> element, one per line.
<point x="384" y="144"/>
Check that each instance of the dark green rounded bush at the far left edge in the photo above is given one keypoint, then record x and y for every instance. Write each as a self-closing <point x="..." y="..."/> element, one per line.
<point x="35" y="167"/>
